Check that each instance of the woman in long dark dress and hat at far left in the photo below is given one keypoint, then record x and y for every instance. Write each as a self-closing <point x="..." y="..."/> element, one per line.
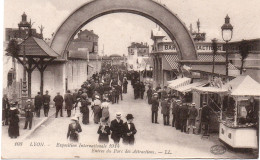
<point x="13" y="130"/>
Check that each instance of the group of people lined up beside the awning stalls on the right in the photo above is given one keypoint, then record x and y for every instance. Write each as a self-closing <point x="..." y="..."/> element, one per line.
<point x="184" y="113"/>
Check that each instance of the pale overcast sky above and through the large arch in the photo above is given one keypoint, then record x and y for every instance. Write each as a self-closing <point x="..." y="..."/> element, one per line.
<point x="124" y="27"/>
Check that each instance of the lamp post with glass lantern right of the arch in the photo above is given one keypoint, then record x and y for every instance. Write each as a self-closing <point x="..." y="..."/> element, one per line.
<point x="227" y="33"/>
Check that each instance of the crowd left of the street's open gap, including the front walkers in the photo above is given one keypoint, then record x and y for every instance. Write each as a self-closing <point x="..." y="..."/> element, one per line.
<point x="94" y="97"/>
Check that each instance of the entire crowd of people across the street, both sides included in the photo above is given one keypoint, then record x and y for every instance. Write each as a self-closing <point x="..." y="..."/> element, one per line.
<point x="95" y="97"/>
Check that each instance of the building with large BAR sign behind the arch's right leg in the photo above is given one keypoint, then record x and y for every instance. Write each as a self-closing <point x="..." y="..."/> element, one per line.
<point x="168" y="64"/>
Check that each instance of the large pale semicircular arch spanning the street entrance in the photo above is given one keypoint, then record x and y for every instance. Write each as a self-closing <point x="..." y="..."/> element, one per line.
<point x="147" y="8"/>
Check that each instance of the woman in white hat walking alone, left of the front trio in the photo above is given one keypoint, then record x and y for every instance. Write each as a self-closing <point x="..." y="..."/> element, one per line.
<point x="73" y="130"/>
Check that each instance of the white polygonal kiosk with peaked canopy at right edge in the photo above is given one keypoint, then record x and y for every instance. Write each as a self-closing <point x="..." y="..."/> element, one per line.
<point x="239" y="122"/>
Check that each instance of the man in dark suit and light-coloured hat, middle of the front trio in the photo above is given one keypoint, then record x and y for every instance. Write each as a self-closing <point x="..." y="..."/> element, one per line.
<point x="117" y="128"/>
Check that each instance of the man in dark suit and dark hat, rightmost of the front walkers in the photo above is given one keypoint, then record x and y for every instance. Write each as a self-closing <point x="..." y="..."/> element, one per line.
<point x="129" y="130"/>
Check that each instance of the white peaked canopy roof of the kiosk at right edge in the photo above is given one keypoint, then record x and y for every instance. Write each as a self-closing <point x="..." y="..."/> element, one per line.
<point x="243" y="86"/>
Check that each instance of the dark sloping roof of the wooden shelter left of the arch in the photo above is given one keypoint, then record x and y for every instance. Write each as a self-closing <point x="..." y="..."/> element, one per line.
<point x="36" y="47"/>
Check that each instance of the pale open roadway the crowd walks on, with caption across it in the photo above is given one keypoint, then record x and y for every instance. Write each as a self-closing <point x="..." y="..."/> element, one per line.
<point x="155" y="138"/>
